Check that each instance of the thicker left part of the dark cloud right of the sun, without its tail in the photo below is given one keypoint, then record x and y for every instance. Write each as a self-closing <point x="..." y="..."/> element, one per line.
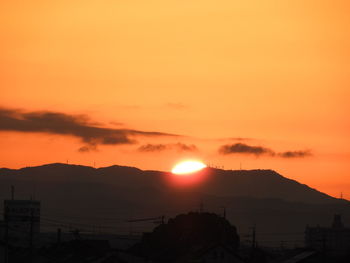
<point x="245" y="149"/>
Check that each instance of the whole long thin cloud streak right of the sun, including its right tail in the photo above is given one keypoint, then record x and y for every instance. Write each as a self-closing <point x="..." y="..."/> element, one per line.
<point x="241" y="148"/>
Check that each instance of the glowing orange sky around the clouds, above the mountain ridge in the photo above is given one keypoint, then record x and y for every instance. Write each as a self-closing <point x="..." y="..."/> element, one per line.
<point x="276" y="72"/>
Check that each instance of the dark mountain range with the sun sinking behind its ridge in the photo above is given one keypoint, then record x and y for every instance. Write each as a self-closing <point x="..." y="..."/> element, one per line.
<point x="74" y="194"/>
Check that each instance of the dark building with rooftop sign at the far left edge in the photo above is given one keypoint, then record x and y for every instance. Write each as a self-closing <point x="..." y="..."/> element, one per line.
<point x="22" y="220"/>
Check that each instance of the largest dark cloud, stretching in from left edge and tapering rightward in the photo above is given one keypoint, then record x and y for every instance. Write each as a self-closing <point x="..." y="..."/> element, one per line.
<point x="78" y="126"/>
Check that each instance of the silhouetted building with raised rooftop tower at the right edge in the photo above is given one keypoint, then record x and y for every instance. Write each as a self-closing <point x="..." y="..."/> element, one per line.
<point x="333" y="240"/>
